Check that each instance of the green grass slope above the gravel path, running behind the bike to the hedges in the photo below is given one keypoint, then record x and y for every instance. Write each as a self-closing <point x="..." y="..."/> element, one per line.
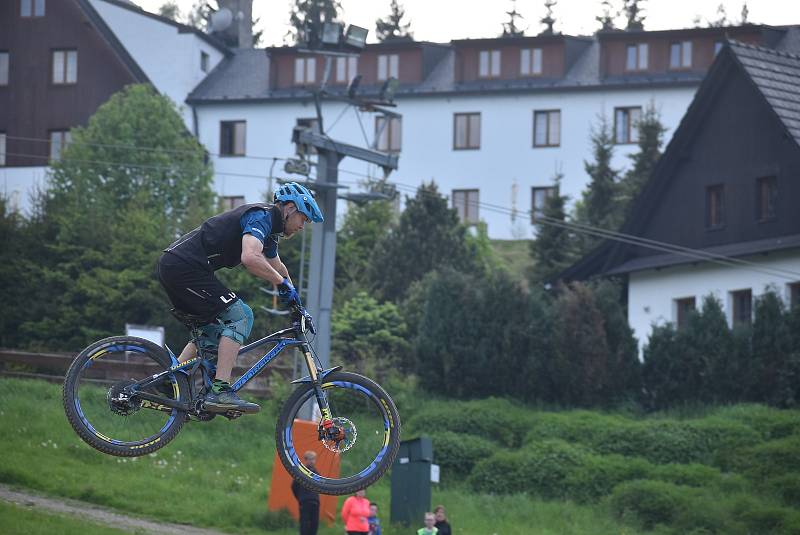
<point x="217" y="475"/>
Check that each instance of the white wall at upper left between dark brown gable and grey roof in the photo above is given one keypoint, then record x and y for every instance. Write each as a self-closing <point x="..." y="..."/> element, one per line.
<point x="171" y="60"/>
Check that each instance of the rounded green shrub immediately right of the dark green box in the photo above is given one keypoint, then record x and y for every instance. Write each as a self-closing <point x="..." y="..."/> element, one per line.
<point x="457" y="453"/>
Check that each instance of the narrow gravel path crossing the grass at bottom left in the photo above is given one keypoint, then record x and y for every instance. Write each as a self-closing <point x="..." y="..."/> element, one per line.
<point x="98" y="514"/>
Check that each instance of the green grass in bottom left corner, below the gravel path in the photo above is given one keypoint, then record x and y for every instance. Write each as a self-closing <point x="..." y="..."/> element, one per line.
<point x="16" y="520"/>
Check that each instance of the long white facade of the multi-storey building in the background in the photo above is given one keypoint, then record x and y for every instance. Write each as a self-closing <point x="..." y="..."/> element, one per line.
<point x="506" y="155"/>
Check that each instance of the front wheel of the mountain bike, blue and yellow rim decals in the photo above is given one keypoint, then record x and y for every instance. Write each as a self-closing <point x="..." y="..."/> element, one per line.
<point x="370" y="428"/>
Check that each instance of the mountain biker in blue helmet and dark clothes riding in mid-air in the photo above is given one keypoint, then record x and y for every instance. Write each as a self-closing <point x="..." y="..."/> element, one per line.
<point x="246" y="235"/>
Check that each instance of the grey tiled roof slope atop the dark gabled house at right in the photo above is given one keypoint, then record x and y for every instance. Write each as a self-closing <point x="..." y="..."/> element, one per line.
<point x="777" y="76"/>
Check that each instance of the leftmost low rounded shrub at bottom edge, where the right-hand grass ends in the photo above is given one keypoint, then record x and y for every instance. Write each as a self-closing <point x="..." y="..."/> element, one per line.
<point x="650" y="502"/>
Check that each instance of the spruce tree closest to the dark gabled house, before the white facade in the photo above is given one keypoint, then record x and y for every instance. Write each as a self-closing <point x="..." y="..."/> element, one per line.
<point x="651" y="139"/>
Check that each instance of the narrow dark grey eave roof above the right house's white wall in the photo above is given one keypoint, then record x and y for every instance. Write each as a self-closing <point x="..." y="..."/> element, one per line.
<point x="728" y="250"/>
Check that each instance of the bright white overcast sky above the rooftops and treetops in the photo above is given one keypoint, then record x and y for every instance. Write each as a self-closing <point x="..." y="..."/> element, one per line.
<point x="444" y="20"/>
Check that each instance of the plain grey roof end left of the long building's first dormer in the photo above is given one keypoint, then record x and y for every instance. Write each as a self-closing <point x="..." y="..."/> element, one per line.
<point x="243" y="75"/>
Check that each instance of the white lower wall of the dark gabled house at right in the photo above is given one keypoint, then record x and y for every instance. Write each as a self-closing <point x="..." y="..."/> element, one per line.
<point x="651" y="293"/>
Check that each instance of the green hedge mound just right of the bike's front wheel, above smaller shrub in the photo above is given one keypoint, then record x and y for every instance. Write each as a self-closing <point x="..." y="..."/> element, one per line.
<point x="494" y="419"/>
